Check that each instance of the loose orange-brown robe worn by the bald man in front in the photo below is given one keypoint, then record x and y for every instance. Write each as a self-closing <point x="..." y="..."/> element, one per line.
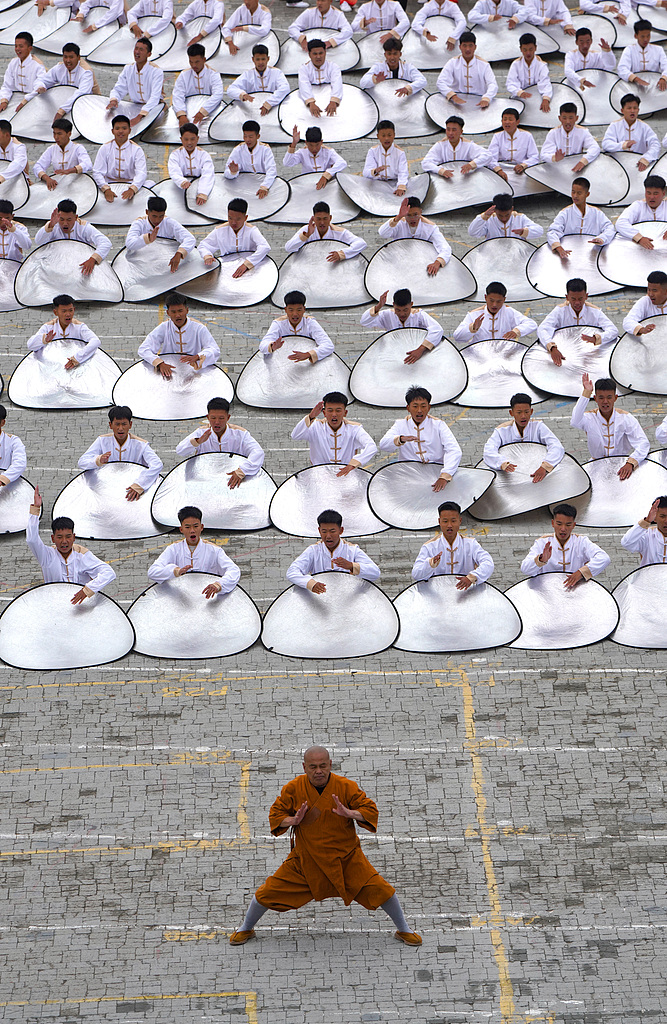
<point x="326" y="860"/>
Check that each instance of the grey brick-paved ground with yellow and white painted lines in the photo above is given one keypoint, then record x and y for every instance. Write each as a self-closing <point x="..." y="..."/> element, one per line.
<point x="521" y="794"/>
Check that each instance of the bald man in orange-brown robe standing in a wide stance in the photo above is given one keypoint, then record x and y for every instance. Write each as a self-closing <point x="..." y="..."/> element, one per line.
<point x="326" y="859"/>
